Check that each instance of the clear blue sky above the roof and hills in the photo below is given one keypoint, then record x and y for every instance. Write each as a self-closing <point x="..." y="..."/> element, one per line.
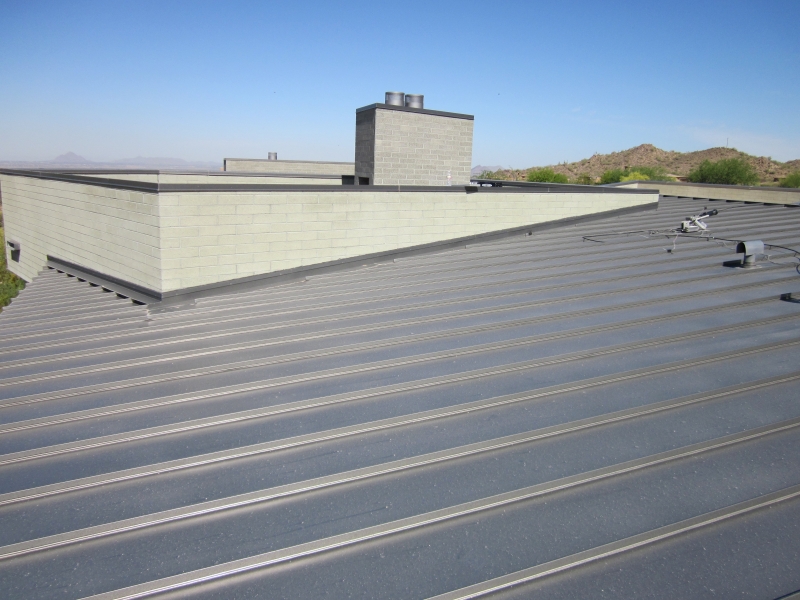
<point x="546" y="81"/>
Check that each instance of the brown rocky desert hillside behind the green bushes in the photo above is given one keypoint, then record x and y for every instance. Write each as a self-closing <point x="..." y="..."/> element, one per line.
<point x="676" y="163"/>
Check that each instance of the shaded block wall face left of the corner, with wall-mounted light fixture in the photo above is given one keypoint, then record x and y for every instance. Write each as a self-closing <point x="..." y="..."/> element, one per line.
<point x="108" y="230"/>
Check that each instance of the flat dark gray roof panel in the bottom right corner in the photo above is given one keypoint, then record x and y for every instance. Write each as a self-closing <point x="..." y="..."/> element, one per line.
<point x="754" y="556"/>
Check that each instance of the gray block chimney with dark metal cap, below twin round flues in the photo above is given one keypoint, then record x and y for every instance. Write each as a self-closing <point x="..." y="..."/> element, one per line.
<point x="407" y="146"/>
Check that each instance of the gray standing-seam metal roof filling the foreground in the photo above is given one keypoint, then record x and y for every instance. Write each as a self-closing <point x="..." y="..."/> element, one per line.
<point x="541" y="414"/>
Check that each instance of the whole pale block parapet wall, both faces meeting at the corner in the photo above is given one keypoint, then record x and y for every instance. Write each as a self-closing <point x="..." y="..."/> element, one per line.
<point x="169" y="237"/>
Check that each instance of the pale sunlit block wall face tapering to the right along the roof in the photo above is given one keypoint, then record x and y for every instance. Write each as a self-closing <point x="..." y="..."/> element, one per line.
<point x="208" y="237"/>
